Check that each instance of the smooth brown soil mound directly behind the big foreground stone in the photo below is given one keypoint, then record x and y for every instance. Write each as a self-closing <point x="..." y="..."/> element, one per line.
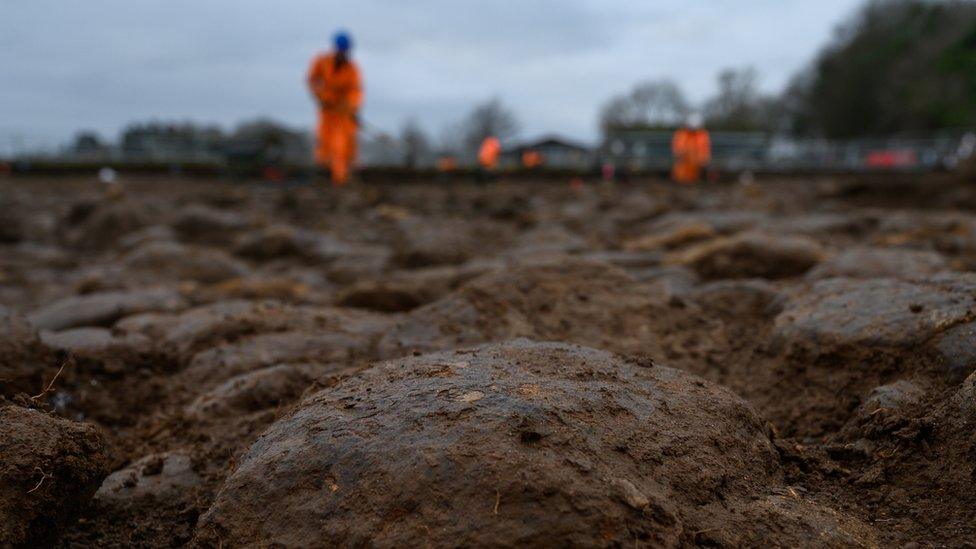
<point x="583" y="302"/>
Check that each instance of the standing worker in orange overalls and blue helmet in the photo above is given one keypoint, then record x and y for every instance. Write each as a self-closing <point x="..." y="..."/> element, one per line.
<point x="334" y="81"/>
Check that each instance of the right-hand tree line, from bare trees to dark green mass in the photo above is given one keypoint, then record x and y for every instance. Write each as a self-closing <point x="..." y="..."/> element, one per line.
<point x="896" y="66"/>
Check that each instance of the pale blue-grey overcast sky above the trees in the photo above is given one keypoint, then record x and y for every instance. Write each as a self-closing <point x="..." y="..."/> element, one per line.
<point x="68" y="65"/>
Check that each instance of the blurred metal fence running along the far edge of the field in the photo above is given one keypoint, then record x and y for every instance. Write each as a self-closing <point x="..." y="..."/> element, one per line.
<point x="637" y="150"/>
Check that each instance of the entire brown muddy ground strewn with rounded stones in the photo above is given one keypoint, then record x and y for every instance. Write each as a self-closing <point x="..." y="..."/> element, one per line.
<point x="195" y="362"/>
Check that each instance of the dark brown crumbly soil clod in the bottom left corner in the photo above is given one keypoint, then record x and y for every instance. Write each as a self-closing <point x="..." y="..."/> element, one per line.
<point x="51" y="467"/>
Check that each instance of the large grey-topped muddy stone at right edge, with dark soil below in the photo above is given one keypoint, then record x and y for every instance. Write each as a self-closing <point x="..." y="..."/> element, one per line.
<point x="842" y="338"/>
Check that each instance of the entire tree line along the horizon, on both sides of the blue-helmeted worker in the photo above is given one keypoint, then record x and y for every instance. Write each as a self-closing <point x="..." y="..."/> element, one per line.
<point x="895" y="66"/>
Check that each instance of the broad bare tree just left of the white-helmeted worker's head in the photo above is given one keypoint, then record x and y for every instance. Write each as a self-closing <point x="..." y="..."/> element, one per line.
<point x="654" y="103"/>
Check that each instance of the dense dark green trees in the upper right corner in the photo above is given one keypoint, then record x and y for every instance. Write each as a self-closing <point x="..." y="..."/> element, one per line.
<point x="898" y="66"/>
